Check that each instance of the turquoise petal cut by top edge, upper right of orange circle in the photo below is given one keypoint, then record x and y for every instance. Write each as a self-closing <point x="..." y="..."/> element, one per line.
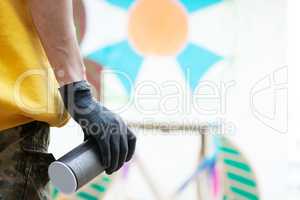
<point x="195" y="5"/>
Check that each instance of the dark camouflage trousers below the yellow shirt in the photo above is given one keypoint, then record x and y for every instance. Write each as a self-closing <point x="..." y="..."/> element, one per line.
<point x="24" y="162"/>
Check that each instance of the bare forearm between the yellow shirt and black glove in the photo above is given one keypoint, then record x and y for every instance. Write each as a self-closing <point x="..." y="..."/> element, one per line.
<point x="54" y="22"/>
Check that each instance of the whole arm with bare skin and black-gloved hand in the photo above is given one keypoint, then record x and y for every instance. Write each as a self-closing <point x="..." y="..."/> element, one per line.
<point x="54" y="22"/>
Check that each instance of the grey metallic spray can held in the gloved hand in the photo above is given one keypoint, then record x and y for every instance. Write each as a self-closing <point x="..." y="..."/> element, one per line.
<point x="76" y="168"/>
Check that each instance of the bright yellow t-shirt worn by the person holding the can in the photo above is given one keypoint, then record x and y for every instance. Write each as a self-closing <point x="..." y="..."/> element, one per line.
<point x="28" y="88"/>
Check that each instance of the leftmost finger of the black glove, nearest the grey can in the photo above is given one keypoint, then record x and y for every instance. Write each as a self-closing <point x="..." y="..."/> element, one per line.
<point x="115" y="154"/>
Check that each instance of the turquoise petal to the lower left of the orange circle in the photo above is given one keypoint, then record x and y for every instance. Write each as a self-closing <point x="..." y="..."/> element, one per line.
<point x="122" y="59"/>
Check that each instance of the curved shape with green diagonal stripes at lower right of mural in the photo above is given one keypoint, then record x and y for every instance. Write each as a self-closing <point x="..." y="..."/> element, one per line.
<point x="238" y="178"/>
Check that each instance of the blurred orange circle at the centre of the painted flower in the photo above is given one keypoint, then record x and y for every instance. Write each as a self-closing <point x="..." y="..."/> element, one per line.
<point x="158" y="27"/>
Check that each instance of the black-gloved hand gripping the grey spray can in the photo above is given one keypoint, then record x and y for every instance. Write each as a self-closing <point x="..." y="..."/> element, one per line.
<point x="115" y="141"/>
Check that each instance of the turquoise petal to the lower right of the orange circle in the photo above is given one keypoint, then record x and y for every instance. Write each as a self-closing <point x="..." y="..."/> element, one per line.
<point x="195" y="61"/>
